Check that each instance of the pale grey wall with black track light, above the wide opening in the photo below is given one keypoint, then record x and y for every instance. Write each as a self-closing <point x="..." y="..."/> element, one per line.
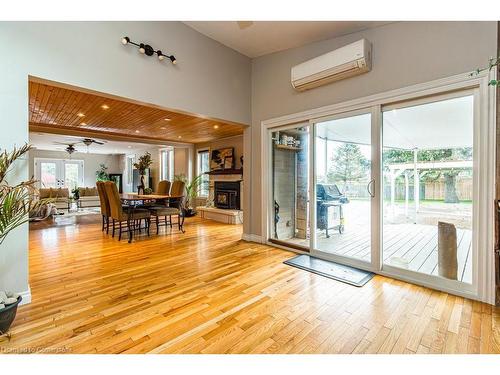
<point x="210" y="79"/>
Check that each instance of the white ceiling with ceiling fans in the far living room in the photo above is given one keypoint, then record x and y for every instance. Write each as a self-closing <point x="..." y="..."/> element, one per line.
<point x="51" y="142"/>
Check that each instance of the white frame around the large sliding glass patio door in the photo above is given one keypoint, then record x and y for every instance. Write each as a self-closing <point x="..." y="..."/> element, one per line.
<point x="485" y="110"/>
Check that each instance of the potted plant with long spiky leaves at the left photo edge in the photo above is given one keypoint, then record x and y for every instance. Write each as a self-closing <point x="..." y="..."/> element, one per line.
<point x="16" y="202"/>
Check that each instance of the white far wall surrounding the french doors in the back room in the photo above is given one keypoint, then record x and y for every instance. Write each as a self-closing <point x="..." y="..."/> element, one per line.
<point x="91" y="162"/>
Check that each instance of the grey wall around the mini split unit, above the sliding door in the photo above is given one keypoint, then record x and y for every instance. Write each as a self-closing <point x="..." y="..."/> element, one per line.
<point x="404" y="53"/>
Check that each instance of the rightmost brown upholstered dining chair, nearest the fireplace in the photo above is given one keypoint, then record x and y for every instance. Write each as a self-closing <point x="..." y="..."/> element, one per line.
<point x="163" y="214"/>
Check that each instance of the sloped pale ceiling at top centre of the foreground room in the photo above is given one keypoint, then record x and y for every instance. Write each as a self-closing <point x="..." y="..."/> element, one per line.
<point x="258" y="38"/>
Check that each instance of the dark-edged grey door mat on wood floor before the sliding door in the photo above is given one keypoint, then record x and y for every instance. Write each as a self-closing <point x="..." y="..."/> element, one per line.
<point x="332" y="270"/>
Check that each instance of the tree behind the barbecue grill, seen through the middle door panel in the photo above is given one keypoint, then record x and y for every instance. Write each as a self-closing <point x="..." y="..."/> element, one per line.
<point x="349" y="164"/>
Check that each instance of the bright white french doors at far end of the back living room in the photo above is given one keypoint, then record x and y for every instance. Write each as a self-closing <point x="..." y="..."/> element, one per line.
<point x="59" y="173"/>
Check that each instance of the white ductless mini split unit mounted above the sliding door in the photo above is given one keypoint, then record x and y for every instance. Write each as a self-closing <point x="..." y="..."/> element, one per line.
<point x="347" y="61"/>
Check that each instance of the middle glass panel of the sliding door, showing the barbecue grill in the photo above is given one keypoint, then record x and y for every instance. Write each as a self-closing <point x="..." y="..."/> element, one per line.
<point x="344" y="187"/>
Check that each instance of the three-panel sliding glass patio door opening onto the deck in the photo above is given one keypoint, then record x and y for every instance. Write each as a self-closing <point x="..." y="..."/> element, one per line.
<point x="391" y="188"/>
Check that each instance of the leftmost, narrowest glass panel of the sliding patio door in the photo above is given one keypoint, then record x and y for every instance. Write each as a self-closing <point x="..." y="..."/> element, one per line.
<point x="290" y="187"/>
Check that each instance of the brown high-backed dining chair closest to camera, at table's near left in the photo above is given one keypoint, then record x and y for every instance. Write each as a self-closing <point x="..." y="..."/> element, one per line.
<point x="120" y="215"/>
